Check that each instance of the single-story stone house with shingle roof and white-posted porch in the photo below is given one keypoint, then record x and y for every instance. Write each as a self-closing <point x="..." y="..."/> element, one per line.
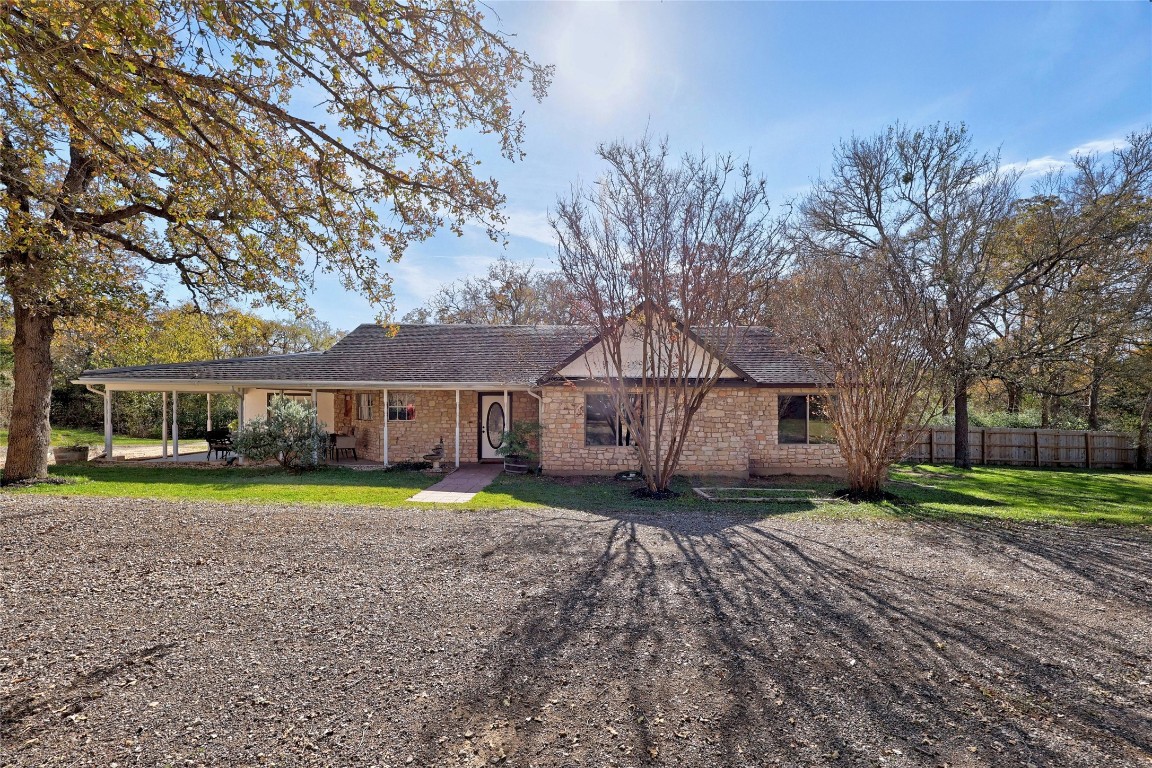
<point x="403" y="390"/>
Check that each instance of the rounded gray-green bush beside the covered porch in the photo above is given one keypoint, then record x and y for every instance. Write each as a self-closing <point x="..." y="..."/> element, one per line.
<point x="290" y="435"/>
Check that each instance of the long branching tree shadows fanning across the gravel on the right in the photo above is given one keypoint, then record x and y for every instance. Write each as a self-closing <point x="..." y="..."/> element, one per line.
<point x="725" y="643"/>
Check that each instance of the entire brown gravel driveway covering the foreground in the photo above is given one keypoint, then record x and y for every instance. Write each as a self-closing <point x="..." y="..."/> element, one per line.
<point x="143" y="634"/>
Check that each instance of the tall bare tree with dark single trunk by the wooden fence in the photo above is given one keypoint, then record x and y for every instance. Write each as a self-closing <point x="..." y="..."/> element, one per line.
<point x="936" y="211"/>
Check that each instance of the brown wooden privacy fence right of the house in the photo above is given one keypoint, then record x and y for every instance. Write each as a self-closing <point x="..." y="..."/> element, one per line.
<point x="1029" y="447"/>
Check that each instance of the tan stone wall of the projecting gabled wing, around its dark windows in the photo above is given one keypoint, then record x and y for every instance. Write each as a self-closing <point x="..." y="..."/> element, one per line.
<point x="734" y="434"/>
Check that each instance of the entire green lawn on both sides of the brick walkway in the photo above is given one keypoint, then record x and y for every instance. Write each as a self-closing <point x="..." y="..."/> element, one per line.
<point x="926" y="492"/>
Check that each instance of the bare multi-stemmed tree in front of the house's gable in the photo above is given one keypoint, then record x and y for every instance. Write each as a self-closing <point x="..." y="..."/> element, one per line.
<point x="661" y="258"/>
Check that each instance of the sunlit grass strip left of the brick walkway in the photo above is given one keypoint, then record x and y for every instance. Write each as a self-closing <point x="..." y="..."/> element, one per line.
<point x="268" y="485"/>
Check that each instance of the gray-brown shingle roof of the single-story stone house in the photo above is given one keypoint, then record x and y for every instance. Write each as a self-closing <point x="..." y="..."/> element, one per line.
<point x="441" y="354"/>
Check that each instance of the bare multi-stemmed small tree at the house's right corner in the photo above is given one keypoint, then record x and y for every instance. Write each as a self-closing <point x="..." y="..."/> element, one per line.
<point x="876" y="344"/>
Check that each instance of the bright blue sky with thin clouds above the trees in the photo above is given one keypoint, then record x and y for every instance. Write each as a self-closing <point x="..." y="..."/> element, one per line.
<point x="782" y="83"/>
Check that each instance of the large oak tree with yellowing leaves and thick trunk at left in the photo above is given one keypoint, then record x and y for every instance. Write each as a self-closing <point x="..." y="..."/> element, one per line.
<point x="237" y="147"/>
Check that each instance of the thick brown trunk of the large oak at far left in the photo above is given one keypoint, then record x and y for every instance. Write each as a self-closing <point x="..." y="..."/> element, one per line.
<point x="29" y="432"/>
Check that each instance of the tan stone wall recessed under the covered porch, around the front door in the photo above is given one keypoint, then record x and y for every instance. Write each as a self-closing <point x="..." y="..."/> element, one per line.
<point x="436" y="417"/>
